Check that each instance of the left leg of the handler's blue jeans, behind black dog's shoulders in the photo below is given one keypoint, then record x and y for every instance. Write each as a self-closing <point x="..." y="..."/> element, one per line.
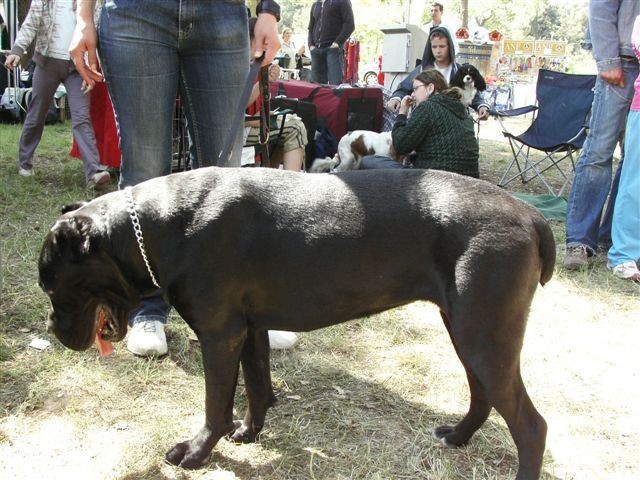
<point x="140" y="63"/>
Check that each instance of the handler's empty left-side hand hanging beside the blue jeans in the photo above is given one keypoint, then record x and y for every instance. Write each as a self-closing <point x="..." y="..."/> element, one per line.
<point x="83" y="53"/>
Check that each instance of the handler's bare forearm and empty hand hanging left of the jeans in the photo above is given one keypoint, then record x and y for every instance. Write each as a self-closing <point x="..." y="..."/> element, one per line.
<point x="84" y="43"/>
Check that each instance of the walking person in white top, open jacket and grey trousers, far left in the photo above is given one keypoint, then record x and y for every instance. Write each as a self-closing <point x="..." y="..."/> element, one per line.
<point x="51" y="24"/>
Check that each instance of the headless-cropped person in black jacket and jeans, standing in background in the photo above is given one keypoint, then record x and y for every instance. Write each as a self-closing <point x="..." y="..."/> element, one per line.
<point x="330" y="24"/>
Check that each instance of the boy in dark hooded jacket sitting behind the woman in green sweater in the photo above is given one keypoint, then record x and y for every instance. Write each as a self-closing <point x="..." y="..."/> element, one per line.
<point x="440" y="54"/>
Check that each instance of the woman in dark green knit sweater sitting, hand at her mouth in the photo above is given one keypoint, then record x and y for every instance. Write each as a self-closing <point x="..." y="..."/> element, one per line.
<point x="439" y="130"/>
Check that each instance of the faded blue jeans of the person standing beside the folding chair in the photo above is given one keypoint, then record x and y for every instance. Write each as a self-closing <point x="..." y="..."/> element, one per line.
<point x="592" y="181"/>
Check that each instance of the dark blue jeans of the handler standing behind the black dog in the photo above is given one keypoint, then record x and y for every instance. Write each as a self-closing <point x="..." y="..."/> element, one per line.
<point x="151" y="50"/>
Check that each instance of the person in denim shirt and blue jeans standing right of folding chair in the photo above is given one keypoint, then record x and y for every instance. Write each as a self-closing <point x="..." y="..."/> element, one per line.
<point x="610" y="27"/>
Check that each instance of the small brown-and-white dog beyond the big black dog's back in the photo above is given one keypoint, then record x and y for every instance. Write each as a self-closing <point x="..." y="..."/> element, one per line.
<point x="352" y="147"/>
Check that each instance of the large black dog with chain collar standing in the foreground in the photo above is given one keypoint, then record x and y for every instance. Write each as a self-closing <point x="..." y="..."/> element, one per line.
<point x="234" y="250"/>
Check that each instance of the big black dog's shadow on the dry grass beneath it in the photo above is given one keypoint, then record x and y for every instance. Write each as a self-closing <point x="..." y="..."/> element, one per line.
<point x="365" y="430"/>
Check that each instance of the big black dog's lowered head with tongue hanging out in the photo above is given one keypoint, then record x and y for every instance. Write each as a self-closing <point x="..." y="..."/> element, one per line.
<point x="80" y="279"/>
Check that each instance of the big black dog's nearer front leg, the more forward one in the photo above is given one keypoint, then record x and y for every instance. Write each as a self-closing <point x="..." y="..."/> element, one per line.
<point x="220" y="357"/>
